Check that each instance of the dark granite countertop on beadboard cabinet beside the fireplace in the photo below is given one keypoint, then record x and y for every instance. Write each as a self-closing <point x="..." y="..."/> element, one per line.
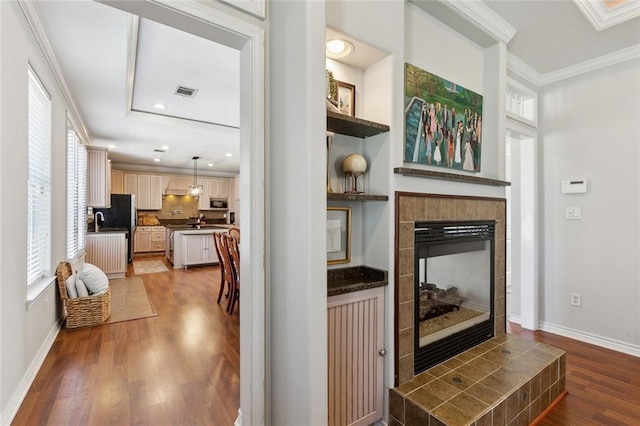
<point x="354" y="278"/>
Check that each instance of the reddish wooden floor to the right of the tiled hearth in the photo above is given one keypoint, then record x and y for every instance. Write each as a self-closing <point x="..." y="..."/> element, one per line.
<point x="603" y="385"/>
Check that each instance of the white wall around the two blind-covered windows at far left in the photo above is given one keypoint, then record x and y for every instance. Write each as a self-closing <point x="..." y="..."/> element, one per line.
<point x="25" y="335"/>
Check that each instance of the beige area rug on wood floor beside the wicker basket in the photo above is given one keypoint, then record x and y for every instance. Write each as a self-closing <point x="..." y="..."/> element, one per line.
<point x="129" y="300"/>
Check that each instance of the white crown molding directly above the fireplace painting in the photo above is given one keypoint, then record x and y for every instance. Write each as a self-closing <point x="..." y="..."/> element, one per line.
<point x="484" y="17"/>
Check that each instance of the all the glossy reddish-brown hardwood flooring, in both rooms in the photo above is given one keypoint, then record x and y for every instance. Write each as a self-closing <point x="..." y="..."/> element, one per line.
<point x="182" y="367"/>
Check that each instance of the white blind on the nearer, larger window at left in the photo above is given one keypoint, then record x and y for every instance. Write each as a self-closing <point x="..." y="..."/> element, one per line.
<point x="39" y="182"/>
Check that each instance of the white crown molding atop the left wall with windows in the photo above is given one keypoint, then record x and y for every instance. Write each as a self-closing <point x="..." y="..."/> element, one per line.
<point x="31" y="14"/>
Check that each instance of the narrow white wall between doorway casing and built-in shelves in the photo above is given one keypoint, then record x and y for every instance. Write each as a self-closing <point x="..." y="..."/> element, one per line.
<point x="297" y="244"/>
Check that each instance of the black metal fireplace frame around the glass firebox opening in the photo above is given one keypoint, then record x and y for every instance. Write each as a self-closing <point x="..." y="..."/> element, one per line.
<point x="446" y="232"/>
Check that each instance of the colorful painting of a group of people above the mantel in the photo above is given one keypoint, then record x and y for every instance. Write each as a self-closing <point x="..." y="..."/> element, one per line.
<point x="443" y="122"/>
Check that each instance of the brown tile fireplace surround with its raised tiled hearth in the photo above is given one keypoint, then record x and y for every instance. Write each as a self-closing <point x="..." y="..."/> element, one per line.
<point x="505" y="380"/>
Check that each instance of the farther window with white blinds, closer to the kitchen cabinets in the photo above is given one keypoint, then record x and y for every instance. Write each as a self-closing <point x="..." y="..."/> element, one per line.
<point x="76" y="194"/>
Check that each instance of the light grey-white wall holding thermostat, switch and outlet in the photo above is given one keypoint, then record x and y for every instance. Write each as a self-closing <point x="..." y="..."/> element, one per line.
<point x="589" y="128"/>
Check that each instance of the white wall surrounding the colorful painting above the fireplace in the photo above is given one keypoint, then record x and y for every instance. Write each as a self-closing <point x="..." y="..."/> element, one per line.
<point x="438" y="49"/>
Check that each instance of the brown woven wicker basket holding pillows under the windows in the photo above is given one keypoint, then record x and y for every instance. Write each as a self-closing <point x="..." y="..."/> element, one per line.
<point x="82" y="311"/>
